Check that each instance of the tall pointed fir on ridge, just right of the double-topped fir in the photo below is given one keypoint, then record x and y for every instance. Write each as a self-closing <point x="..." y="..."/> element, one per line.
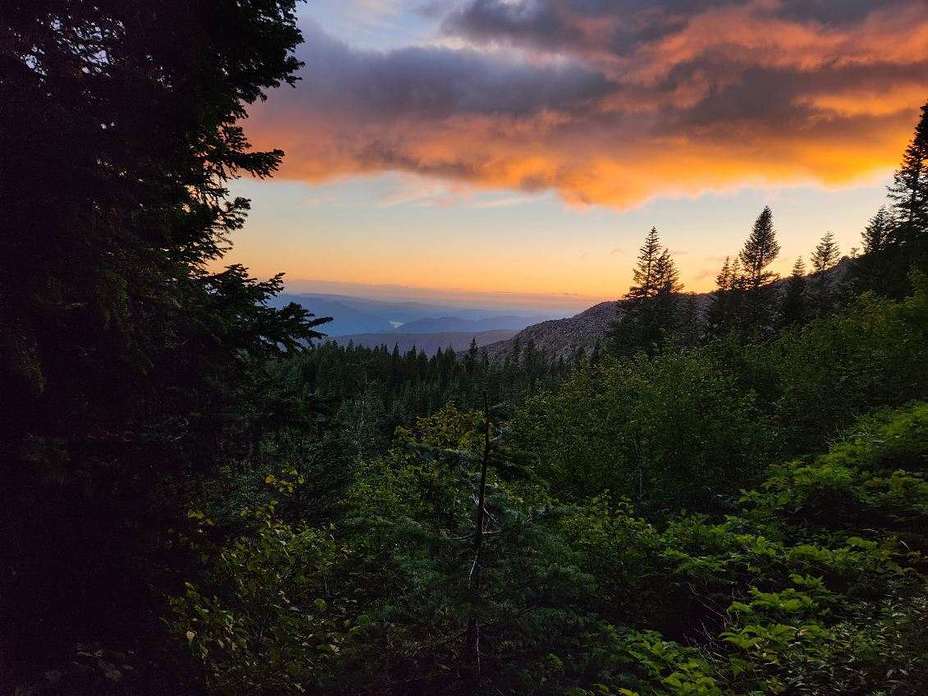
<point x="760" y="250"/>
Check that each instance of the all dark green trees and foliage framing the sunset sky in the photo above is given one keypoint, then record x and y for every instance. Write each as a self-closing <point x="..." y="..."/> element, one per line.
<point x="203" y="496"/>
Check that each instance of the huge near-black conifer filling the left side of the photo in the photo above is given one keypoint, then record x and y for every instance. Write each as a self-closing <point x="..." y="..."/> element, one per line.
<point x="122" y="357"/>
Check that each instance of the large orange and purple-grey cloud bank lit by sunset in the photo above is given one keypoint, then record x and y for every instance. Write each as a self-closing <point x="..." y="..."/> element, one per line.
<point x="614" y="103"/>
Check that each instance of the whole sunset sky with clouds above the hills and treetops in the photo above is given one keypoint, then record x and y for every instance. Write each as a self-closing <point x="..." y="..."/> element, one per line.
<point x="523" y="148"/>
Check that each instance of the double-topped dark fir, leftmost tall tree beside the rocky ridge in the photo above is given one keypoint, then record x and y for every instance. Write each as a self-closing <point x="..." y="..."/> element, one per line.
<point x="650" y="307"/>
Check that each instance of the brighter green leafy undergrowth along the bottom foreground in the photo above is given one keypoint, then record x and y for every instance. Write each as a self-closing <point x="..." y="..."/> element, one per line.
<point x="813" y="585"/>
